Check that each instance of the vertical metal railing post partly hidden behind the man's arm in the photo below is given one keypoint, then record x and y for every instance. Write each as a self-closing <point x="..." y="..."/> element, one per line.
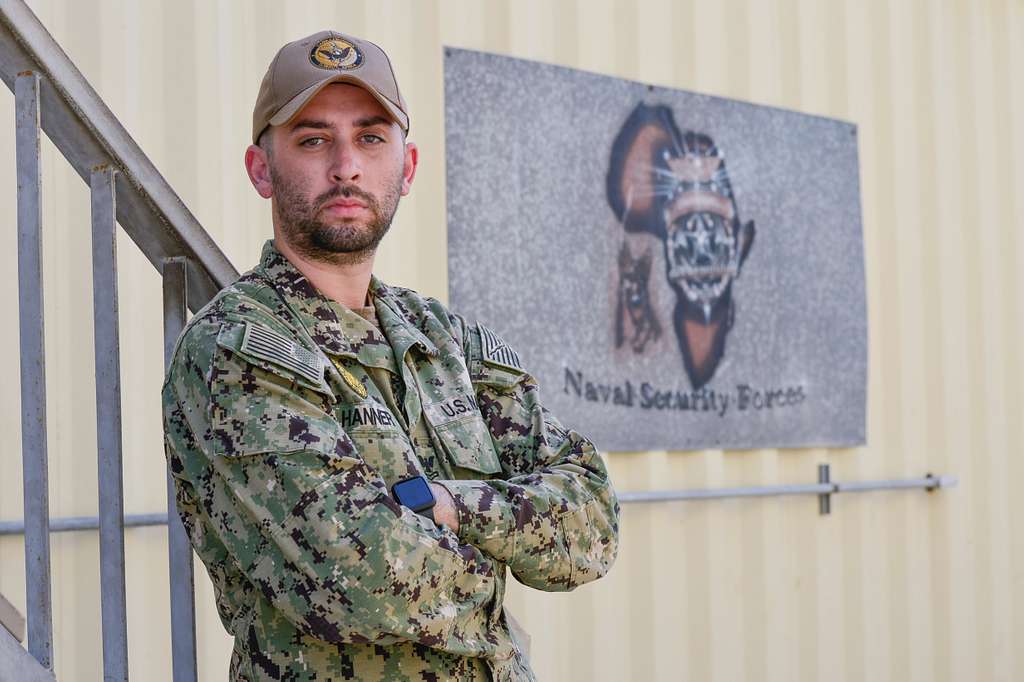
<point x="179" y="548"/>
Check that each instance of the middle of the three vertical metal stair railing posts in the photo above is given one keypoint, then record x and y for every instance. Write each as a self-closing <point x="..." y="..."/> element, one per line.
<point x="112" y="540"/>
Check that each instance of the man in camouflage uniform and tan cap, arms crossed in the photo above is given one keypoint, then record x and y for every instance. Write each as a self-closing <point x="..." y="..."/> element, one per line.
<point x="305" y="392"/>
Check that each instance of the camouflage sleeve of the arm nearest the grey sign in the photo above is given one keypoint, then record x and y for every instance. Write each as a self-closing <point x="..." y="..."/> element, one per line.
<point x="553" y="518"/>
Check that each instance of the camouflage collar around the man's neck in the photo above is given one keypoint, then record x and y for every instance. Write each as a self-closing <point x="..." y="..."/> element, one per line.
<point x="315" y="313"/>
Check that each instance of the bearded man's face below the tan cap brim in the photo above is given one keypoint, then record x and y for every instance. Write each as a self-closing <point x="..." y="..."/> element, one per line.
<point x="336" y="173"/>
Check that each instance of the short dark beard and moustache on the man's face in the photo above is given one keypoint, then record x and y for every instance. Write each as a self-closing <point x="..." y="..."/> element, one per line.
<point x="346" y="244"/>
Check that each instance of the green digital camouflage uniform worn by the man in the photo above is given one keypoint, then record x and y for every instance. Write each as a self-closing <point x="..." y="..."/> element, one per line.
<point x="287" y="420"/>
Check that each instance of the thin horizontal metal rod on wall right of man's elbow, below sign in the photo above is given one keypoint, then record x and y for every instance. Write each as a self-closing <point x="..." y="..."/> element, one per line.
<point x="825" y="489"/>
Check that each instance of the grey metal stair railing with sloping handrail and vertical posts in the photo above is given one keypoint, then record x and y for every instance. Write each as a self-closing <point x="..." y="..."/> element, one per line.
<point x="53" y="96"/>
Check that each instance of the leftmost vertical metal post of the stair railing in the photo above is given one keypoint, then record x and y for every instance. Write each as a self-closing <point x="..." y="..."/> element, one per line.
<point x="30" y="275"/>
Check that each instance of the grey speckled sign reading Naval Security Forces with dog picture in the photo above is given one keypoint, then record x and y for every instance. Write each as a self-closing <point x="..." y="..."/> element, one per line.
<point x="677" y="271"/>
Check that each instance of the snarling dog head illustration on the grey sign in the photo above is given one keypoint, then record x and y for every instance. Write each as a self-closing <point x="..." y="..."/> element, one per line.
<point x="674" y="185"/>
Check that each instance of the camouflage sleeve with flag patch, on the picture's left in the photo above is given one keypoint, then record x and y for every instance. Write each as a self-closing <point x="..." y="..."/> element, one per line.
<point x="309" y="523"/>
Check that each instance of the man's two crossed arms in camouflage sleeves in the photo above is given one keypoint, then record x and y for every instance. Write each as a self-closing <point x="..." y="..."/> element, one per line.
<point x="275" y="493"/>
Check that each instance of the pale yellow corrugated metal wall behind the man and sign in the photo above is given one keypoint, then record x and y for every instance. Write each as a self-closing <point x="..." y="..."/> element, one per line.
<point x="892" y="586"/>
